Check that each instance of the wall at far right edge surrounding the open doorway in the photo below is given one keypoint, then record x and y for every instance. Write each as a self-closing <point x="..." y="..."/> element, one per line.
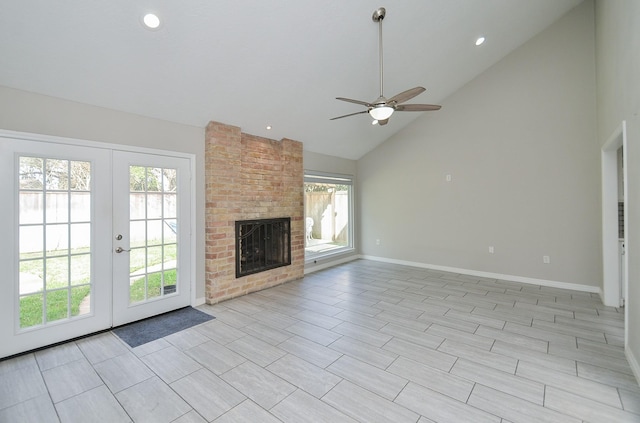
<point x="618" y="87"/>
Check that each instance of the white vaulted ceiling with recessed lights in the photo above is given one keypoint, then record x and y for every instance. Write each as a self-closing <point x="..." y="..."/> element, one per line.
<point x="253" y="63"/>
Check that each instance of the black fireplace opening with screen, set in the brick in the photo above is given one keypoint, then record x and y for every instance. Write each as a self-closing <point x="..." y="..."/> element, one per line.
<point x="262" y="244"/>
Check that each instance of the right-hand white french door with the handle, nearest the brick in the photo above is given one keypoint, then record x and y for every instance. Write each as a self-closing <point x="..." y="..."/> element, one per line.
<point x="151" y="235"/>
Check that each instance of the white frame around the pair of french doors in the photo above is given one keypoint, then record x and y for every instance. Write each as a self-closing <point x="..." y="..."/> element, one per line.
<point x="134" y="149"/>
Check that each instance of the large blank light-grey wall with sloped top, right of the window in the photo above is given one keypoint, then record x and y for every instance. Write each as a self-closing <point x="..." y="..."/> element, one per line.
<point x="519" y="142"/>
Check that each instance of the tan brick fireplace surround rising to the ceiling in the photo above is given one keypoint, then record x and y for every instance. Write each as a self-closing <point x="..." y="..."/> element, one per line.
<point x="249" y="177"/>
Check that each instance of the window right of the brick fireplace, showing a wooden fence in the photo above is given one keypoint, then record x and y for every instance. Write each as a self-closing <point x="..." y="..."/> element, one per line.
<point x="328" y="212"/>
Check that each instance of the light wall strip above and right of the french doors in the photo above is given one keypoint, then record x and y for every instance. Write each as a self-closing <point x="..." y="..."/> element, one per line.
<point x="39" y="114"/>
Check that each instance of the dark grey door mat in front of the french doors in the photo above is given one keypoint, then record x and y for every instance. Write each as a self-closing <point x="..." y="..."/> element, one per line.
<point x="147" y="330"/>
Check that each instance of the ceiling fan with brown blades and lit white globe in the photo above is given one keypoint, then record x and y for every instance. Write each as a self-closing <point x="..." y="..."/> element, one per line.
<point x="382" y="108"/>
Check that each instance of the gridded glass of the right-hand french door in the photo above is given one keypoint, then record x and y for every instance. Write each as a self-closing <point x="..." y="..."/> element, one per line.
<point x="153" y="240"/>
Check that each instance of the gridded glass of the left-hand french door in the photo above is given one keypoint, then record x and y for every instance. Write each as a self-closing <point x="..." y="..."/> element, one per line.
<point x="53" y="192"/>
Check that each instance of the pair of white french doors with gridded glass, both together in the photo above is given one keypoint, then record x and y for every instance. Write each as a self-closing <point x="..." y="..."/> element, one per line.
<point x="92" y="238"/>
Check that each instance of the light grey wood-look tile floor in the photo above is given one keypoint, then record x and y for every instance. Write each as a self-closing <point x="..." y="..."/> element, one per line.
<point x="364" y="341"/>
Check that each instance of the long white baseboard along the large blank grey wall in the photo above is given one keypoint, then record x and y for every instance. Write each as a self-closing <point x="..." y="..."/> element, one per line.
<point x="514" y="278"/>
